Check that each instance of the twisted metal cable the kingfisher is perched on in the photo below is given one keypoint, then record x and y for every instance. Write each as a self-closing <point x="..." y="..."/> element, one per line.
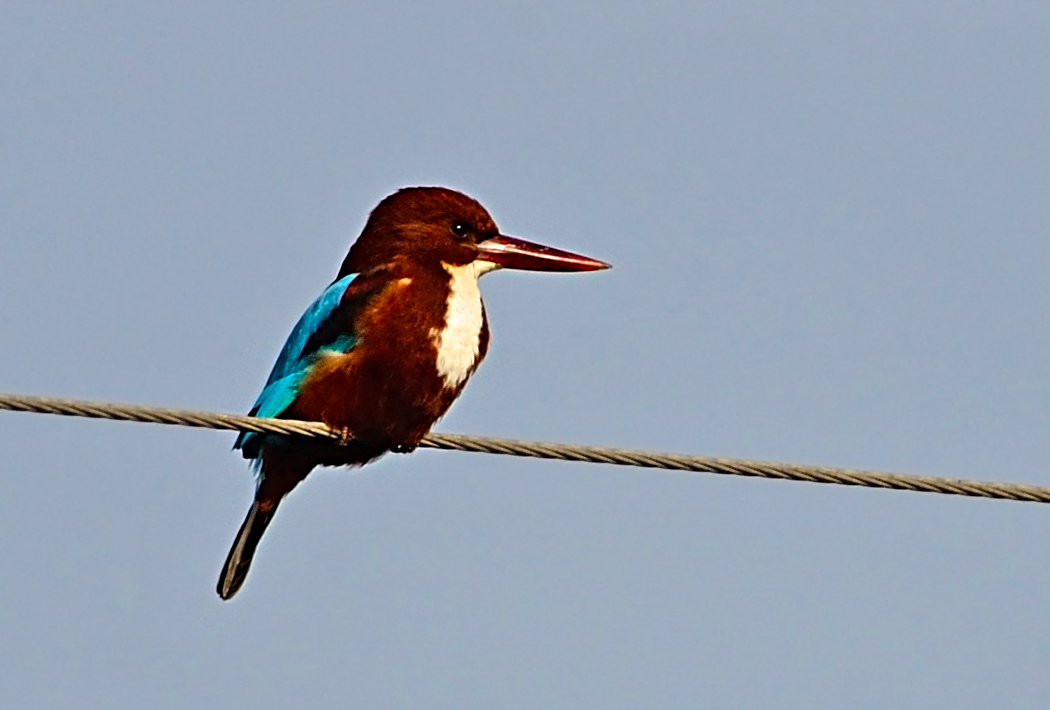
<point x="622" y="457"/>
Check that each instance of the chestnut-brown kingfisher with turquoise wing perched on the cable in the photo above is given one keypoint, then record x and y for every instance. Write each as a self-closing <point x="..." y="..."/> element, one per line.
<point x="386" y="349"/>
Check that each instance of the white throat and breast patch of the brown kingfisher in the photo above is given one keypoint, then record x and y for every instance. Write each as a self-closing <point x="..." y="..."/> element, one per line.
<point x="459" y="342"/>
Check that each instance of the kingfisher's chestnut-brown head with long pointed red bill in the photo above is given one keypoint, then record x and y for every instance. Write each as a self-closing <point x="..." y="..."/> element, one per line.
<point x="435" y="225"/>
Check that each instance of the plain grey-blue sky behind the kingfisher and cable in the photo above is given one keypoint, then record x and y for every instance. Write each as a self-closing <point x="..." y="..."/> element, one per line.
<point x="830" y="235"/>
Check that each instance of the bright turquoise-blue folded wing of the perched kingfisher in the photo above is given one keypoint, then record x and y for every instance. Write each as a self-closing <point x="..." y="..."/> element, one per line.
<point x="296" y="360"/>
